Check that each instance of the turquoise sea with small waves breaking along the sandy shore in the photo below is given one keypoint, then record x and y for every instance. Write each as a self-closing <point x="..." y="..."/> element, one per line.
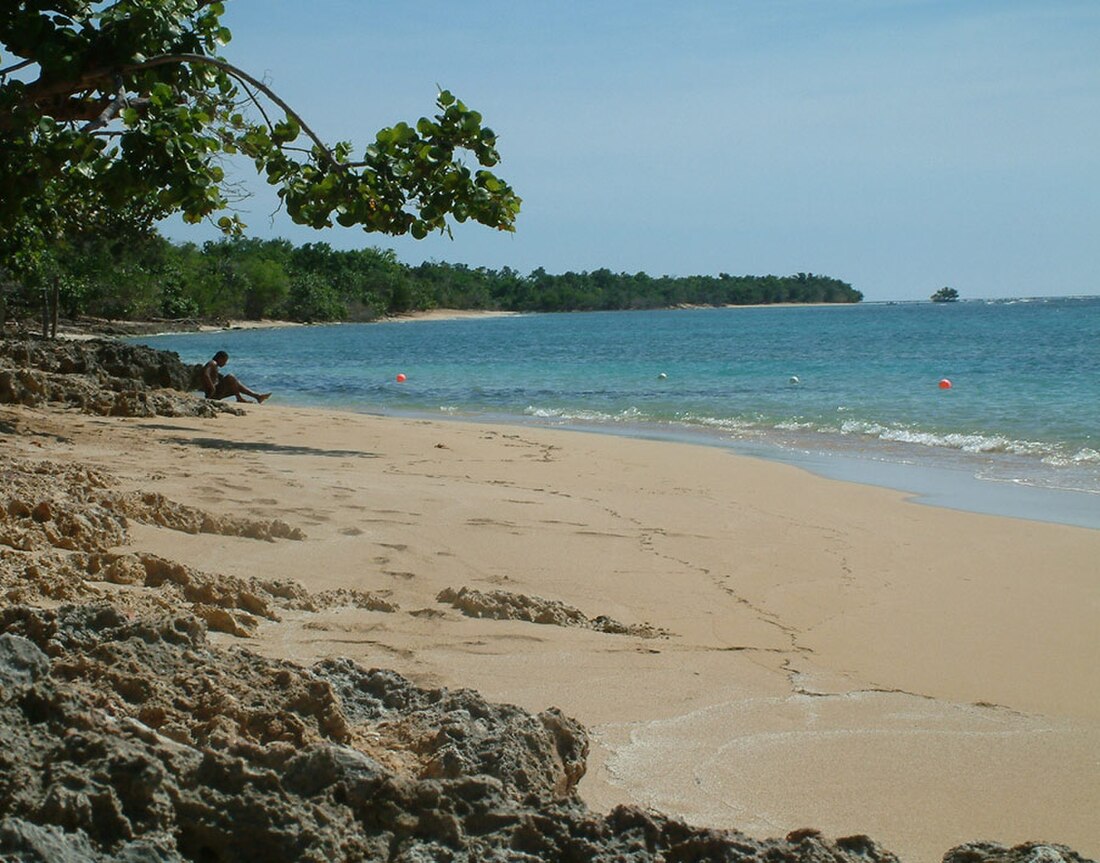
<point x="849" y="392"/>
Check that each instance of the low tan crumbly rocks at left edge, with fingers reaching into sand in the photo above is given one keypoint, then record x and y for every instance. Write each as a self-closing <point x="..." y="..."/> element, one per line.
<point x="59" y="525"/>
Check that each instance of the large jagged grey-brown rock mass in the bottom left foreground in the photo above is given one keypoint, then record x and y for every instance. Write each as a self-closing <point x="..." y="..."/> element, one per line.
<point x="133" y="739"/>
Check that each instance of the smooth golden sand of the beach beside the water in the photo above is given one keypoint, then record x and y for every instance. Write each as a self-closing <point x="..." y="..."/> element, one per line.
<point x="835" y="656"/>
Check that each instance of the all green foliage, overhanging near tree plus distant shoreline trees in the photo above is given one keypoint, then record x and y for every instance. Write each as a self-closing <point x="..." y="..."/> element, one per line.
<point x="117" y="114"/>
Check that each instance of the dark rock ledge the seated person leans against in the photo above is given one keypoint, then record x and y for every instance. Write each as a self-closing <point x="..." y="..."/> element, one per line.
<point x="103" y="378"/>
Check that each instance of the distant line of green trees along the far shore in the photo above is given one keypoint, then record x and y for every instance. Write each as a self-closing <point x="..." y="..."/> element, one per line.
<point x="125" y="276"/>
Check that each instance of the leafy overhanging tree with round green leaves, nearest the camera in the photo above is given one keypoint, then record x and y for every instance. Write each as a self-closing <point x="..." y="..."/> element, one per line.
<point x="125" y="110"/>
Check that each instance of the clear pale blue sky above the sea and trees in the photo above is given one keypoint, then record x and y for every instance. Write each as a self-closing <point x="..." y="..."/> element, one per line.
<point x="899" y="146"/>
